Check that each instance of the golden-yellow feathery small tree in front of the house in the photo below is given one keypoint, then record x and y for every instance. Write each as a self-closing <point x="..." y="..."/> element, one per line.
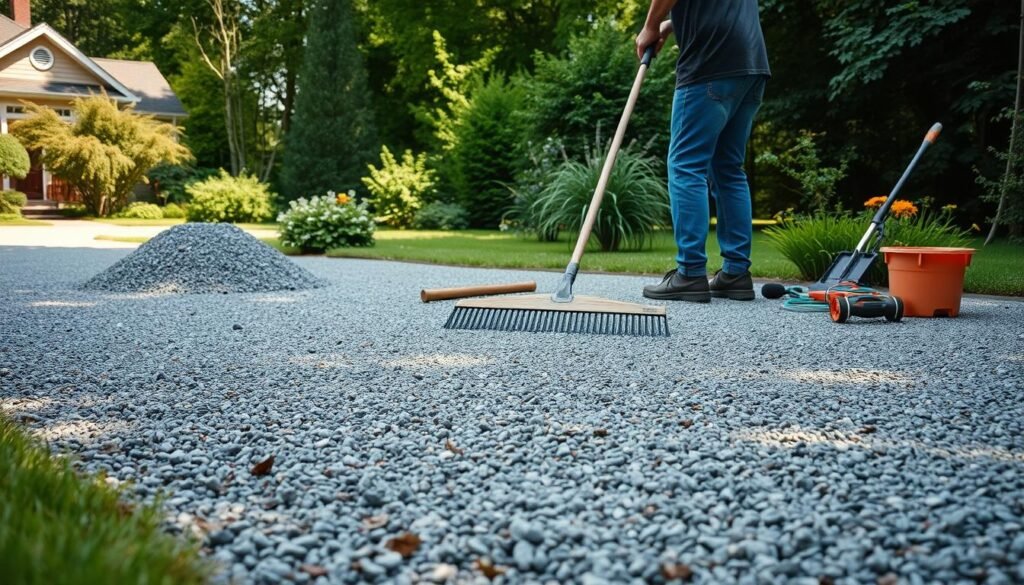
<point x="105" y="153"/>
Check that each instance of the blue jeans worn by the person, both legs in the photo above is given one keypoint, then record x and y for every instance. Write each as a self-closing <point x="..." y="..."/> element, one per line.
<point x="711" y="123"/>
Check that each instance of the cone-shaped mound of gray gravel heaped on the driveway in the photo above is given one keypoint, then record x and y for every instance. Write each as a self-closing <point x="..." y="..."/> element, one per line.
<point x="203" y="259"/>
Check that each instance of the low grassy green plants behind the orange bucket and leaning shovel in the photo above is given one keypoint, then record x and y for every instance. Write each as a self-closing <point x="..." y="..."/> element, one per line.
<point x="813" y="242"/>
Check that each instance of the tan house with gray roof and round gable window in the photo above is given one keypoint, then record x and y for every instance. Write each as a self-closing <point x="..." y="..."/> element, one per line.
<point x="38" y="65"/>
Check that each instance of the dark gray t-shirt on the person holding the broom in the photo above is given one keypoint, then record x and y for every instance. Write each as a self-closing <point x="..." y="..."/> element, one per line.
<point x="718" y="38"/>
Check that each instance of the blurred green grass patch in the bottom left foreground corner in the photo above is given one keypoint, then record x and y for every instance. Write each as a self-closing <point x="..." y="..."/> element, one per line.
<point x="62" y="528"/>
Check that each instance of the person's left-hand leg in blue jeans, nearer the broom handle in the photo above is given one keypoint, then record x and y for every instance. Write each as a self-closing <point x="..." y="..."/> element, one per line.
<point x="697" y="122"/>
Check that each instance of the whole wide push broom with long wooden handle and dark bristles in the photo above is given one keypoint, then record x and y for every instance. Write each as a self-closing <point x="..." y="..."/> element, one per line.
<point x="564" y="312"/>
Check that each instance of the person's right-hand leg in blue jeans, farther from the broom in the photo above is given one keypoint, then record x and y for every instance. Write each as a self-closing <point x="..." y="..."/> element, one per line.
<point x="732" y="190"/>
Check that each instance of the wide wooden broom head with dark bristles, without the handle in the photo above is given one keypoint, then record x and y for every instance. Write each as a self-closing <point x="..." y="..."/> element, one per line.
<point x="537" y="314"/>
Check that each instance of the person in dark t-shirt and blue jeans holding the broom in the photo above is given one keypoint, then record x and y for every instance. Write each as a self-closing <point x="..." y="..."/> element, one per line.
<point x="720" y="81"/>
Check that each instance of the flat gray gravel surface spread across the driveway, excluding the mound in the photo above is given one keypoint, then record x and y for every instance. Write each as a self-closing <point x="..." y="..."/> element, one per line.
<point x="753" y="446"/>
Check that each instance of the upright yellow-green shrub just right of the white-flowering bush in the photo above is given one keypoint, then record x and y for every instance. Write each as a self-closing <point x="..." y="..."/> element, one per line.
<point x="399" y="189"/>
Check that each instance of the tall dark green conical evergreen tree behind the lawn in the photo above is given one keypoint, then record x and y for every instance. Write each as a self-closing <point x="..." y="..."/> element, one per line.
<point x="333" y="137"/>
